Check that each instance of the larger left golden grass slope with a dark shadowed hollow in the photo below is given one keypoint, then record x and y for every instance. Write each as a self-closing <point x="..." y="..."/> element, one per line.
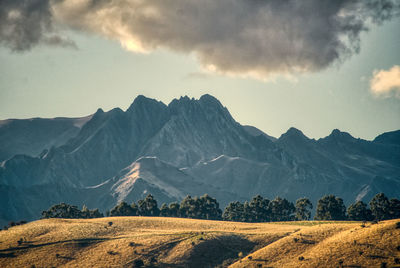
<point x="167" y="242"/>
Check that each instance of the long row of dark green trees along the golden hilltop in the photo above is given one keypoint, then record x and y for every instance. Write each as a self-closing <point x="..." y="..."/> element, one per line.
<point x="258" y="209"/>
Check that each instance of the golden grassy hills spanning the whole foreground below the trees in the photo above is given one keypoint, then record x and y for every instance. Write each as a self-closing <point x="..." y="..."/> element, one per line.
<point x="172" y="242"/>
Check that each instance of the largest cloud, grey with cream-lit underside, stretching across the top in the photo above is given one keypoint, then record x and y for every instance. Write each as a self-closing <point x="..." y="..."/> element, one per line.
<point x="258" y="38"/>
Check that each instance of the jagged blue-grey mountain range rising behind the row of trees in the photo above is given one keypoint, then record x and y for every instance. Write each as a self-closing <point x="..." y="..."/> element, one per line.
<point x="190" y="146"/>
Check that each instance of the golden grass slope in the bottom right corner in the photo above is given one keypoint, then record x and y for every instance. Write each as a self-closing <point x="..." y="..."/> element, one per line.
<point x="333" y="245"/>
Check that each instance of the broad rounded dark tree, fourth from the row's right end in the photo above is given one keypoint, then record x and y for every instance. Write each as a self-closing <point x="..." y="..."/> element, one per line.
<point x="330" y="207"/>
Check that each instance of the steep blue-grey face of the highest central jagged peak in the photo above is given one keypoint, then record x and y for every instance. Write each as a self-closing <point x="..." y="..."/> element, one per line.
<point x="203" y="129"/>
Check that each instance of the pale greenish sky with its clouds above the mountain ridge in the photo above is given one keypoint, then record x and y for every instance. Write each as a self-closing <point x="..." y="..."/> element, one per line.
<point x="314" y="65"/>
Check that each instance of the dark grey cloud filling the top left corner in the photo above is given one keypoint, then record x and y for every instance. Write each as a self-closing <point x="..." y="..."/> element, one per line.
<point x="26" y="23"/>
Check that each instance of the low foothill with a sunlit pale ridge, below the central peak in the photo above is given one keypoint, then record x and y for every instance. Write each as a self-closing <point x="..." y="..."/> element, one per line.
<point x="150" y="175"/>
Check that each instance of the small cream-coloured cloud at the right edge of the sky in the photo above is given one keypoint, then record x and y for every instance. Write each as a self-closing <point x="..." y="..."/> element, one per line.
<point x="386" y="83"/>
